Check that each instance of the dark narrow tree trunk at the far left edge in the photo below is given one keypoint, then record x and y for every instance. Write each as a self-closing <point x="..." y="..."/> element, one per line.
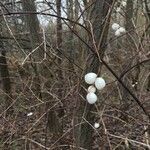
<point x="6" y="91"/>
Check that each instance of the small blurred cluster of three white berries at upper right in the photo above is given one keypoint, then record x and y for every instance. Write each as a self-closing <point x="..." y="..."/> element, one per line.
<point x="118" y="29"/>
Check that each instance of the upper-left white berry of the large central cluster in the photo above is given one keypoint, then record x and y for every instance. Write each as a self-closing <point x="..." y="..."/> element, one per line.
<point x="90" y="78"/>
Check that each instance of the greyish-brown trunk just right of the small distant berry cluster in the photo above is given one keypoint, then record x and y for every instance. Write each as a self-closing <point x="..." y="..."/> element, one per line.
<point x="125" y="102"/>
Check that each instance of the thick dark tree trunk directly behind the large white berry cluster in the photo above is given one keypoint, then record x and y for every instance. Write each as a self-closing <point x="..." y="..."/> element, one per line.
<point x="83" y="133"/>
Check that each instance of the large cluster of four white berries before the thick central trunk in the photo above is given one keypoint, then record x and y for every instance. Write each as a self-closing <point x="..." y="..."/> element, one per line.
<point x="96" y="83"/>
